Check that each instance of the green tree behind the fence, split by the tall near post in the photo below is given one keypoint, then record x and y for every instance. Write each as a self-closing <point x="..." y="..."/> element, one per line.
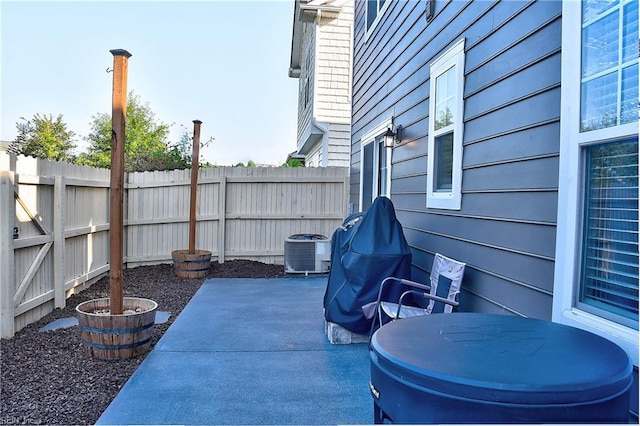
<point x="147" y="145"/>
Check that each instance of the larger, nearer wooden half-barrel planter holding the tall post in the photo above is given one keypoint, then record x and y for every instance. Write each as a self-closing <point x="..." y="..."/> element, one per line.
<point x="113" y="337"/>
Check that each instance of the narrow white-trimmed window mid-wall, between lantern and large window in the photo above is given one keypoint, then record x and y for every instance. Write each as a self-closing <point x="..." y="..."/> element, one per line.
<point x="446" y="109"/>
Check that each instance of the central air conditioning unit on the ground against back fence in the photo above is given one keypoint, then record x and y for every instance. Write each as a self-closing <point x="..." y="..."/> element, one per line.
<point x="307" y="253"/>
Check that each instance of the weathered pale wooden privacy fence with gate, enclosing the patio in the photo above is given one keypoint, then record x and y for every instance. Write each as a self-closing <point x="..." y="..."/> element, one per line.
<point x="54" y="223"/>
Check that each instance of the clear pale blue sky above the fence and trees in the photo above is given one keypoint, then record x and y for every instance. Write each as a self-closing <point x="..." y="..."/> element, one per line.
<point x="222" y="62"/>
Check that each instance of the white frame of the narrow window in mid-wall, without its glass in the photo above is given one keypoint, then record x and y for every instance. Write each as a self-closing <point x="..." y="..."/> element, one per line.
<point x="451" y="200"/>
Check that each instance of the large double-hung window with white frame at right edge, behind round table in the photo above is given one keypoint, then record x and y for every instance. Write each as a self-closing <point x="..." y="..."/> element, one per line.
<point x="596" y="276"/>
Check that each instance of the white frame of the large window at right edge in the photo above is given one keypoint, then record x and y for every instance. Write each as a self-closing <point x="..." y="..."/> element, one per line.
<point x="570" y="189"/>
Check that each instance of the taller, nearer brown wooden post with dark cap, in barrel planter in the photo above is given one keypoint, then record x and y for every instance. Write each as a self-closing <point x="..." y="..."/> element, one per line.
<point x="116" y="195"/>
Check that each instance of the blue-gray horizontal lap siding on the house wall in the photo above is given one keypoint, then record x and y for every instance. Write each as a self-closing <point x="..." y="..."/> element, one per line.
<point x="505" y="230"/>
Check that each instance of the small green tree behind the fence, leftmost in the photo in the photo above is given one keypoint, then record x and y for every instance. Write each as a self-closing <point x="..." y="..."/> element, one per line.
<point x="44" y="137"/>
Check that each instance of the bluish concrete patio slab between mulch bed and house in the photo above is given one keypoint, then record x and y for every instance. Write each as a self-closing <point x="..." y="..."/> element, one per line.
<point x="249" y="351"/>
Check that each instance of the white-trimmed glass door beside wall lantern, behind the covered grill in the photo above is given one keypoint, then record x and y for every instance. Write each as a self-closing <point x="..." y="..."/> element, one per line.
<point x="375" y="165"/>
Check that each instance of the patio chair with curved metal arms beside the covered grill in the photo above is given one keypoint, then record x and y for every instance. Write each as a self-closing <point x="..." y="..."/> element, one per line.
<point x="445" y="283"/>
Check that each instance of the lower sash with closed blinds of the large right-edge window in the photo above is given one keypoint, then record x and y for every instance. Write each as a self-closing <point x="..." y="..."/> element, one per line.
<point x="608" y="275"/>
